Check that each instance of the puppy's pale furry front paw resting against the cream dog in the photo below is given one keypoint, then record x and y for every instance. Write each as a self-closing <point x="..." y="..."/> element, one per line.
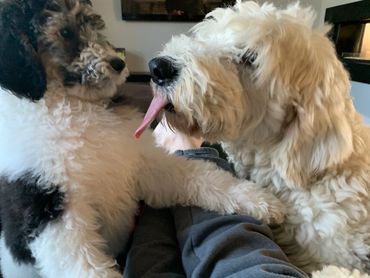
<point x="258" y="203"/>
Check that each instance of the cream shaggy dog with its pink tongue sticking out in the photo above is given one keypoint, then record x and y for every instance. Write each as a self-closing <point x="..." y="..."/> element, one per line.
<point x="269" y="87"/>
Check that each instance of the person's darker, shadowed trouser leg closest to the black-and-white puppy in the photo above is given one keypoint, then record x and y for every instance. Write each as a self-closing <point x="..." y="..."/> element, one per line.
<point x="154" y="250"/>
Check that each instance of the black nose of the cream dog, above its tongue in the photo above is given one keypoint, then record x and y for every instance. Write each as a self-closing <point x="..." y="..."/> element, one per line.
<point x="162" y="70"/>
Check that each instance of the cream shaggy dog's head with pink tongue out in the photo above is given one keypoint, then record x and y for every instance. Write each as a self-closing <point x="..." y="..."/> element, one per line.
<point x="260" y="76"/>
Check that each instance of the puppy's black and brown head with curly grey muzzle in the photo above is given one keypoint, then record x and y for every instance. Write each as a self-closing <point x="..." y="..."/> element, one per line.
<point x="56" y="43"/>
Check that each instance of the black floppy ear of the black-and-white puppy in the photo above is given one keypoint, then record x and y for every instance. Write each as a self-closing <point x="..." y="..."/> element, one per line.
<point x="21" y="71"/>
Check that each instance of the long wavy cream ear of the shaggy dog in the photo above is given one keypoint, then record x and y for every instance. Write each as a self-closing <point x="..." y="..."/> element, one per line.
<point x="318" y="136"/>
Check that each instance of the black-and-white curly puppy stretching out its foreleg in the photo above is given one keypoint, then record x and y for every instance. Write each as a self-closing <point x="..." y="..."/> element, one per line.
<point x="71" y="171"/>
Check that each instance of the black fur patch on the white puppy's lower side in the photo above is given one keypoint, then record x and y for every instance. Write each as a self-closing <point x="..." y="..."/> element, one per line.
<point x="26" y="208"/>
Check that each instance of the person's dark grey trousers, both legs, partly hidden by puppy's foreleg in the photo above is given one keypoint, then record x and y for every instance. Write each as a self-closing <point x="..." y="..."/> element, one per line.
<point x="191" y="242"/>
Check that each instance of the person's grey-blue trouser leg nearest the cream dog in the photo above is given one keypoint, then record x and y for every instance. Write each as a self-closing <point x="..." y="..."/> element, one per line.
<point x="214" y="245"/>
